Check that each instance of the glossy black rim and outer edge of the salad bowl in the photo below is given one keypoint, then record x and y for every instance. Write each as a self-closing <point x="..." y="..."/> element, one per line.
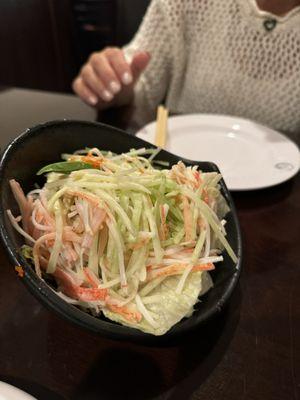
<point x="41" y="290"/>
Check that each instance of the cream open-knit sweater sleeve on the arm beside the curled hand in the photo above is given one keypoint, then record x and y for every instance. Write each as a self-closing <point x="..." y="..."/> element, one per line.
<point x="153" y="36"/>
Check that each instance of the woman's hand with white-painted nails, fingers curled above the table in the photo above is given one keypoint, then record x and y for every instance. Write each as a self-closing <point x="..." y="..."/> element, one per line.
<point x="107" y="79"/>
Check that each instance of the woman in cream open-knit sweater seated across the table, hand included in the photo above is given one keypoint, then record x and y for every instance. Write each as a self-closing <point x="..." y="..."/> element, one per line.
<point x="236" y="57"/>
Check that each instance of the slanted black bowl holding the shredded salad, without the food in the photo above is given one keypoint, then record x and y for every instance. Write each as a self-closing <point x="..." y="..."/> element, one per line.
<point x="43" y="145"/>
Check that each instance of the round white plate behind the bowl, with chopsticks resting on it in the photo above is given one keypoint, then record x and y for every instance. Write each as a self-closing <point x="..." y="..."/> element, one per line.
<point x="250" y="156"/>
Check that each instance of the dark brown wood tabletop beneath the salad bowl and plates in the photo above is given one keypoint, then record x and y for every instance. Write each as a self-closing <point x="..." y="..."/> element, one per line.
<point x="250" y="351"/>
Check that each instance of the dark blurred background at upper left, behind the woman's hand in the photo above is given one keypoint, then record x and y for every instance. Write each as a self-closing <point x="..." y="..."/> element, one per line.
<point x="43" y="43"/>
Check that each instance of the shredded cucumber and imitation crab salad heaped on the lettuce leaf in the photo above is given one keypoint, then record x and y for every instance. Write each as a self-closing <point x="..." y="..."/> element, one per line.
<point x="111" y="229"/>
